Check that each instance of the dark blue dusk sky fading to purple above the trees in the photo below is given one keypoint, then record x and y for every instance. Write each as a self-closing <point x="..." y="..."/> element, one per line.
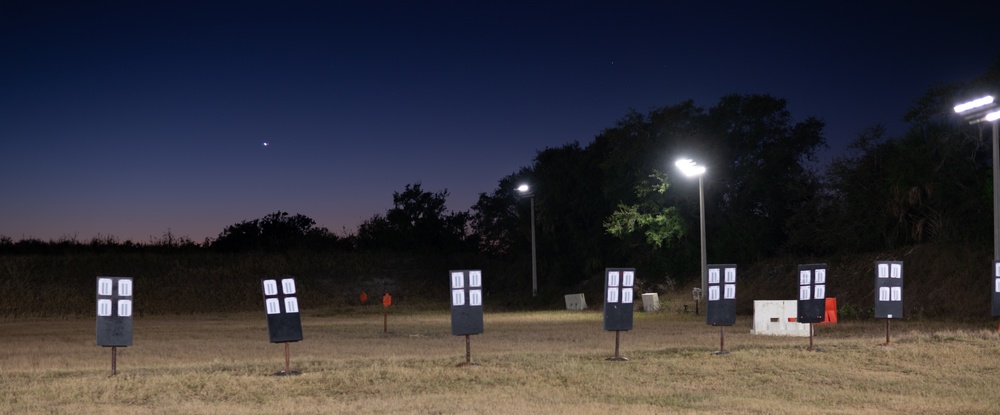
<point x="131" y="118"/>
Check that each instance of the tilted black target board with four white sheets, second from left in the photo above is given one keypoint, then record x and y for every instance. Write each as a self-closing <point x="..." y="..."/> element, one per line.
<point x="281" y="303"/>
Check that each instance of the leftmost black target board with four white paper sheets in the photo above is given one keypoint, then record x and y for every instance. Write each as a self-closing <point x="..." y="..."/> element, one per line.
<point x="114" y="311"/>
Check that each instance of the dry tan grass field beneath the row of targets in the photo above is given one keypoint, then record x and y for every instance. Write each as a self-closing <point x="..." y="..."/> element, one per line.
<point x="539" y="362"/>
